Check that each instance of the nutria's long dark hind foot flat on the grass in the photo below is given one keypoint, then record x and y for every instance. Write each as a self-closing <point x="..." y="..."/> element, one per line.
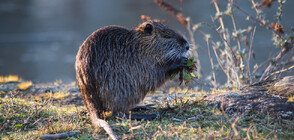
<point x="147" y="117"/>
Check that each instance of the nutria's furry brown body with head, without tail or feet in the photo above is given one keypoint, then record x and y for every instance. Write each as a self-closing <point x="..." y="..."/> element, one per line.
<point x="117" y="67"/>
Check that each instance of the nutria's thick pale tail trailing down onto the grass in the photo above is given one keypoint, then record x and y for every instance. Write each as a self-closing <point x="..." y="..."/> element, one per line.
<point x="97" y="122"/>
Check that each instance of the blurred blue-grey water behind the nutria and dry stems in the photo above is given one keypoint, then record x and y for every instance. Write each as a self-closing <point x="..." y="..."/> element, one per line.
<point x="39" y="39"/>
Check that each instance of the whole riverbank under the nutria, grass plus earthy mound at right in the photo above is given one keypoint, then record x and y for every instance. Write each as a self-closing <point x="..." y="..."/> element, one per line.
<point x="262" y="110"/>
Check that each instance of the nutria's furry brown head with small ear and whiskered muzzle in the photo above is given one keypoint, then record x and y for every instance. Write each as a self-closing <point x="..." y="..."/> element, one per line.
<point x="159" y="41"/>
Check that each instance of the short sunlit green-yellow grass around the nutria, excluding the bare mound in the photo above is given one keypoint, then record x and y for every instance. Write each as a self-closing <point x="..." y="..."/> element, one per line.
<point x="29" y="119"/>
